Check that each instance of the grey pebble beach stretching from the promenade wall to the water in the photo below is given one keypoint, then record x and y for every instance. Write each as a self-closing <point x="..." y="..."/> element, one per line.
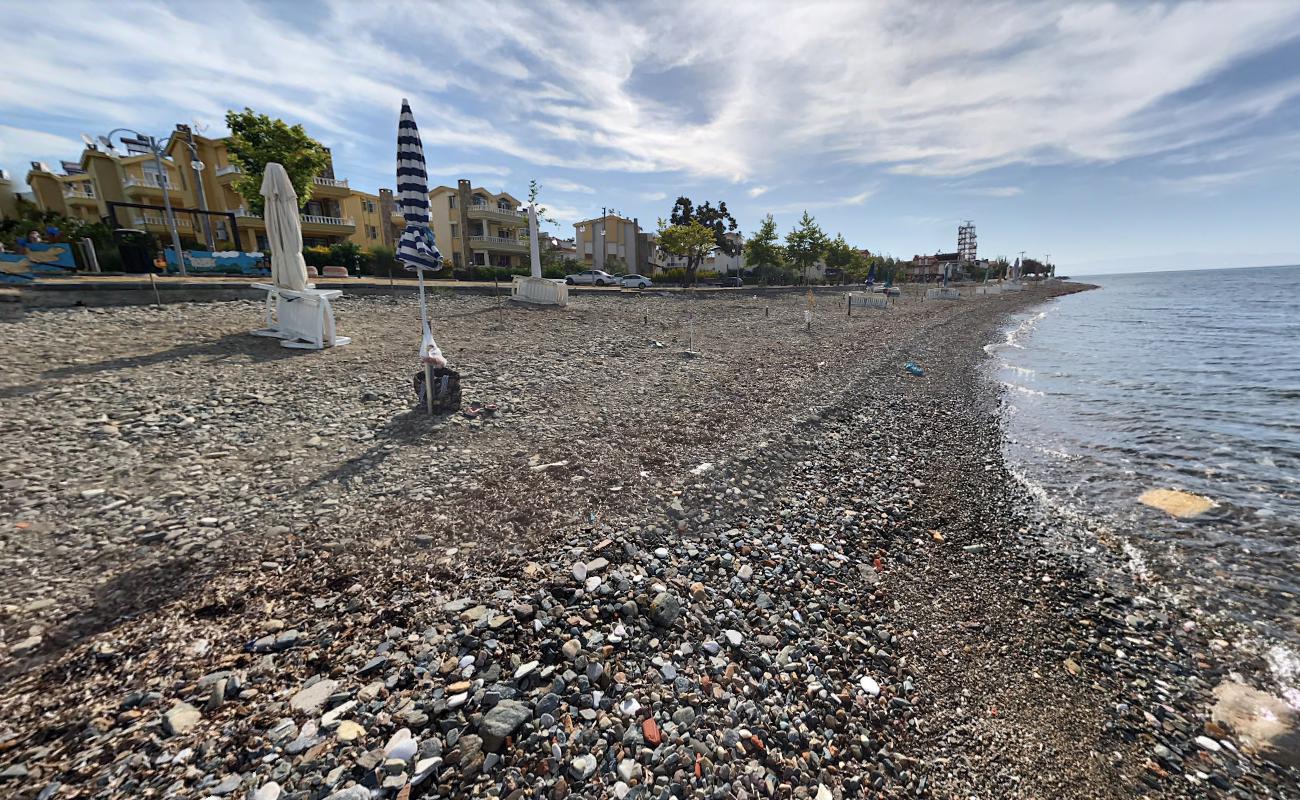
<point x="681" y="547"/>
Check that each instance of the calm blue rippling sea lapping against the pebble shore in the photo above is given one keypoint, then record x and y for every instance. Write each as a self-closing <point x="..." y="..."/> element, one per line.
<point x="1180" y="380"/>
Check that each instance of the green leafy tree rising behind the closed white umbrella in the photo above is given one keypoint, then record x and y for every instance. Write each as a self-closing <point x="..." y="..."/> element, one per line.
<point x="257" y="141"/>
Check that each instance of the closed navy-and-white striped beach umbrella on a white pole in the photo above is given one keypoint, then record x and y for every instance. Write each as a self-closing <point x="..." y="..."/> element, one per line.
<point x="417" y="248"/>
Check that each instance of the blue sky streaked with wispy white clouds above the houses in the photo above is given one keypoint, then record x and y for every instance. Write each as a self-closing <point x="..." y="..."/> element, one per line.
<point x="1110" y="137"/>
